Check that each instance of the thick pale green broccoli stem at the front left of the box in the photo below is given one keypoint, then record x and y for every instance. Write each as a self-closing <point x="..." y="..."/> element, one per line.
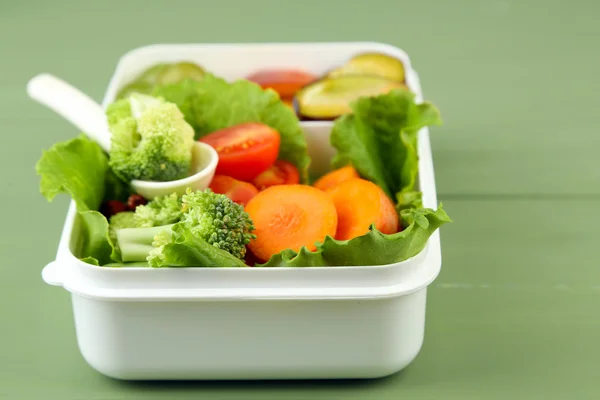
<point x="136" y="243"/>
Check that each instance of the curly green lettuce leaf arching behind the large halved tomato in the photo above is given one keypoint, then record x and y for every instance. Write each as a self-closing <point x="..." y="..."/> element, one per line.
<point x="213" y="103"/>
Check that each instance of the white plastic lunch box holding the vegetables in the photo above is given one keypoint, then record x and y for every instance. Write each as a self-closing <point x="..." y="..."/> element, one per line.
<point x="272" y="323"/>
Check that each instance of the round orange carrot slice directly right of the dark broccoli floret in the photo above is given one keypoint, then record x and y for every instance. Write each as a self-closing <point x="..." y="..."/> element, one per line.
<point x="289" y="217"/>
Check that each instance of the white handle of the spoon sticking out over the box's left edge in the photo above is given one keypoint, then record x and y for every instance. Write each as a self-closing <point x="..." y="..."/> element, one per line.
<point x="73" y="105"/>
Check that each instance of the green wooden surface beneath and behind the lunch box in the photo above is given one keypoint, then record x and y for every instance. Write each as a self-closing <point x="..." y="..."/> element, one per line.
<point x="514" y="313"/>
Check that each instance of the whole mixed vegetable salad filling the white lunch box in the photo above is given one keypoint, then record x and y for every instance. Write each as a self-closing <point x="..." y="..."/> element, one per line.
<point x="262" y="208"/>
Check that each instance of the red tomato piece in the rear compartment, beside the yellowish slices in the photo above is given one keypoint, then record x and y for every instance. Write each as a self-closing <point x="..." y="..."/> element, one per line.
<point x="286" y="82"/>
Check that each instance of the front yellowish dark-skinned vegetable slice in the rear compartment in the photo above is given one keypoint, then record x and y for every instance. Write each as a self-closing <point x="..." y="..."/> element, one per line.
<point x="330" y="98"/>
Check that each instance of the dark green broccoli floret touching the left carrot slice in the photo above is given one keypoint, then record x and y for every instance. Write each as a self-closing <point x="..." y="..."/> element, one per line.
<point x="218" y="220"/>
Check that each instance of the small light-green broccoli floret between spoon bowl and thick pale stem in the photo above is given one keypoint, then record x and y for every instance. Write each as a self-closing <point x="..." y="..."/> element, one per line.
<point x="163" y="210"/>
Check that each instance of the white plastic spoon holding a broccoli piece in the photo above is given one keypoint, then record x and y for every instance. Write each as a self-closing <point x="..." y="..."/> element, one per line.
<point x="88" y="116"/>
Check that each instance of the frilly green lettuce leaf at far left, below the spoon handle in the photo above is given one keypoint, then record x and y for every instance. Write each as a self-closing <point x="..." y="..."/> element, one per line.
<point x="79" y="167"/>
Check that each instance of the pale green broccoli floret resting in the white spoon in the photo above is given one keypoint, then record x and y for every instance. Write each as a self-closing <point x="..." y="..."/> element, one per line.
<point x="151" y="140"/>
